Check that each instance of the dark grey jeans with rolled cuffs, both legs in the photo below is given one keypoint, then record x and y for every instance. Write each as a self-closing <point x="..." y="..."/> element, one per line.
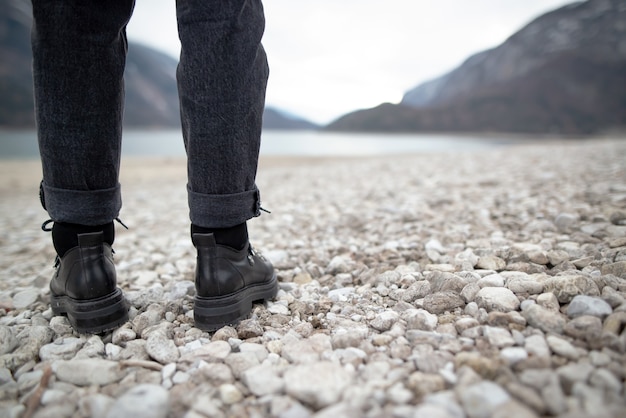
<point x="79" y="53"/>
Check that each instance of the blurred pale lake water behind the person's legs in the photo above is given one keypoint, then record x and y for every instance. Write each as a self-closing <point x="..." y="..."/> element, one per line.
<point x="169" y="143"/>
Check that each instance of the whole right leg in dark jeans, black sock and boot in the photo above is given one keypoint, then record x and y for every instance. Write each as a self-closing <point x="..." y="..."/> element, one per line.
<point x="222" y="76"/>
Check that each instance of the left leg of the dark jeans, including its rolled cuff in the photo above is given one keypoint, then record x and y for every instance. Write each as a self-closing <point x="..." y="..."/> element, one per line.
<point x="79" y="52"/>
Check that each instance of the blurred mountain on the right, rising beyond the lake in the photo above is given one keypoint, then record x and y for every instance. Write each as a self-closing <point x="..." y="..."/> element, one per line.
<point x="562" y="73"/>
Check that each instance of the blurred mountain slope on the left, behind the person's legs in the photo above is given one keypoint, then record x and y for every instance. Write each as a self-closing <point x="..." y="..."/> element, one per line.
<point x="150" y="80"/>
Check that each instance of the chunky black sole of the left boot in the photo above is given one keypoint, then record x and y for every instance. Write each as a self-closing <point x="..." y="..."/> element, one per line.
<point x="93" y="316"/>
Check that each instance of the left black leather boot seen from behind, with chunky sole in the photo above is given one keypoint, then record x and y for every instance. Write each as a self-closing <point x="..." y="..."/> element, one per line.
<point x="84" y="287"/>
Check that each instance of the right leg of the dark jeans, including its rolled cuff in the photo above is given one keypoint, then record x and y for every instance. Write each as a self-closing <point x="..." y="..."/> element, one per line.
<point x="222" y="77"/>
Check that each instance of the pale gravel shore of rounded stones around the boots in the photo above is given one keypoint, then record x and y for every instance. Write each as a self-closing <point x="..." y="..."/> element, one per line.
<point x="475" y="284"/>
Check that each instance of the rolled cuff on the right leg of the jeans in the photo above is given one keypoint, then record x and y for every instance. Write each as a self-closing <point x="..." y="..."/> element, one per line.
<point x="223" y="210"/>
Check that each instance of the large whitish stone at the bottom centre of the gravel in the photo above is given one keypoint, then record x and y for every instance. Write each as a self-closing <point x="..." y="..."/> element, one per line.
<point x="317" y="385"/>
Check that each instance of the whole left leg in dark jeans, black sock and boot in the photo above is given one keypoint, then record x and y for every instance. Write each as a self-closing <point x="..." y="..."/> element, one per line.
<point x="79" y="52"/>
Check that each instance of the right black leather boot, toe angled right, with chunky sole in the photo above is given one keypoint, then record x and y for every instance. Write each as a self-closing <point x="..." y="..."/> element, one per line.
<point x="228" y="282"/>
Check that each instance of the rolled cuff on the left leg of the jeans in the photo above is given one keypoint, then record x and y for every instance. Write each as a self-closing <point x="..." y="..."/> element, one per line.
<point x="84" y="207"/>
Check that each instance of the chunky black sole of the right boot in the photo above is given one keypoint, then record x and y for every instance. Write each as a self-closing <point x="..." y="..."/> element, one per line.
<point x="213" y="313"/>
